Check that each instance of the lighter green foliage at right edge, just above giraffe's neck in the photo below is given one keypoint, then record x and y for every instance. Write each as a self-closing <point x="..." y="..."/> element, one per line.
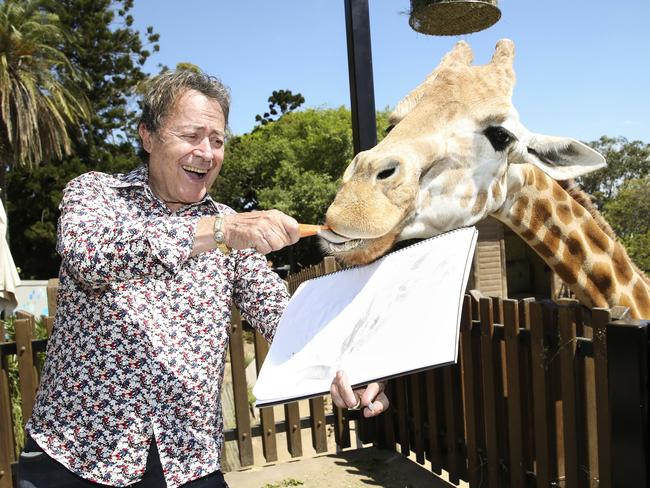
<point x="629" y="215"/>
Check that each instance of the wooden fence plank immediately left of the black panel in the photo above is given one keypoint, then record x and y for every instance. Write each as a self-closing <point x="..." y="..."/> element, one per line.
<point x="600" y="318"/>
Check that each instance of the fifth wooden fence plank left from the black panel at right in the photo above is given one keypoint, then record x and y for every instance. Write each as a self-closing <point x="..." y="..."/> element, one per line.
<point x="489" y="356"/>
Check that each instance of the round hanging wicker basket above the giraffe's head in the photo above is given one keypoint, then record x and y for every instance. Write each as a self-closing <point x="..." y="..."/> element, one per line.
<point x="453" y="17"/>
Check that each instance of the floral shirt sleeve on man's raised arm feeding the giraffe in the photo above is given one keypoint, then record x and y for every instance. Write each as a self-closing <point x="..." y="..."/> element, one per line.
<point x="100" y="245"/>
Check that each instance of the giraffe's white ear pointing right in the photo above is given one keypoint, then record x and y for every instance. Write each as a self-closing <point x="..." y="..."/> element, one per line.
<point x="562" y="158"/>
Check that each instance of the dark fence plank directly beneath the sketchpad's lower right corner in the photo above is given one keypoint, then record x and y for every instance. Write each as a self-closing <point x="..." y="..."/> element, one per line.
<point x="454" y="418"/>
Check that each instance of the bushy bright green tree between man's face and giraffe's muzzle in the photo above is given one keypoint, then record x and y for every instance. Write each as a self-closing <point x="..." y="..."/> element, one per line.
<point x="294" y="165"/>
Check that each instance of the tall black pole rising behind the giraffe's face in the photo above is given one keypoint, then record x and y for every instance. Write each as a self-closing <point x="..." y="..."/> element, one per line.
<point x="362" y="91"/>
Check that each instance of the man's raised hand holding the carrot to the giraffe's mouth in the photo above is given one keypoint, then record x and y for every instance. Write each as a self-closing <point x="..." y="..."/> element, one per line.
<point x="266" y="231"/>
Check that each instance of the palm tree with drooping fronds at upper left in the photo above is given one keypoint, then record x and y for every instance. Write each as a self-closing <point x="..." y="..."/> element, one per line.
<point x="41" y="93"/>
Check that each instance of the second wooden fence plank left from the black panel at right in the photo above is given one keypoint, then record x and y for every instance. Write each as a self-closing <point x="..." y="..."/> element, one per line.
<point x="574" y="452"/>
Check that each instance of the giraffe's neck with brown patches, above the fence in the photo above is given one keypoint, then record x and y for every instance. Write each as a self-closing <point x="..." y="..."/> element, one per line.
<point x="570" y="240"/>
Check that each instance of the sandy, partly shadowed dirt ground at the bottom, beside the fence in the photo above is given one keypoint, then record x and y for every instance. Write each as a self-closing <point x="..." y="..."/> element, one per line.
<point x="350" y="469"/>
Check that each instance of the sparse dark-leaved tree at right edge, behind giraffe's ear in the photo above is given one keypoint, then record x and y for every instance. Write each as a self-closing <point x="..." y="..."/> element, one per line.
<point x="625" y="161"/>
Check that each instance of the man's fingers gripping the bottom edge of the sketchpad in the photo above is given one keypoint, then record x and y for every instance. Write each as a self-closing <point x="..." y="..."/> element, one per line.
<point x="371" y="398"/>
